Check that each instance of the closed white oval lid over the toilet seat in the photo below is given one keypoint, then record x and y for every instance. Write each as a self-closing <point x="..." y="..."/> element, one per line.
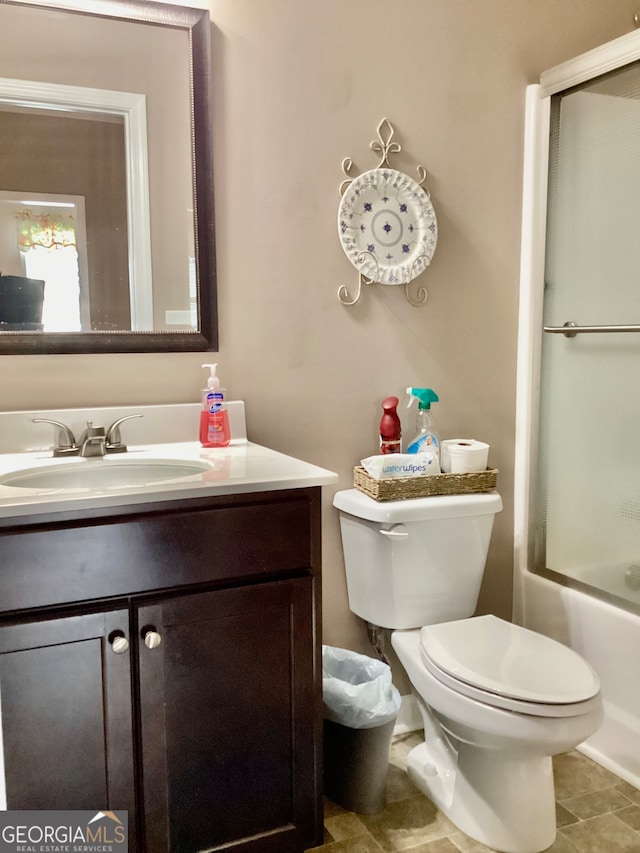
<point x="507" y="660"/>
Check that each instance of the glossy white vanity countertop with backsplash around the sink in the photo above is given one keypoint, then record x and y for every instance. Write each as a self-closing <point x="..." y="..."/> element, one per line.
<point x="240" y="468"/>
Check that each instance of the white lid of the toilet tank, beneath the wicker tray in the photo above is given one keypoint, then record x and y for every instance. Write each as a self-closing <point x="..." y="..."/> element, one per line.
<point x="356" y="503"/>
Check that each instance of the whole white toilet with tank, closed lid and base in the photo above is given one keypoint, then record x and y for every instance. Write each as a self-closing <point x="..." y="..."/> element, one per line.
<point x="497" y="700"/>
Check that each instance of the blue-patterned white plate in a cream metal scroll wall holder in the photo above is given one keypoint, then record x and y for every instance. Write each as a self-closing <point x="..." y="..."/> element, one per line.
<point x="386" y="223"/>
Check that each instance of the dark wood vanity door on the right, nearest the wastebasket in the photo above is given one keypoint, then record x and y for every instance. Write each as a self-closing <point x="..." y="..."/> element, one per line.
<point x="229" y="710"/>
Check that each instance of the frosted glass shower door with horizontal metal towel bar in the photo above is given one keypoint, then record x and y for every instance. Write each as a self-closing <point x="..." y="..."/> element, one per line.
<point x="588" y="507"/>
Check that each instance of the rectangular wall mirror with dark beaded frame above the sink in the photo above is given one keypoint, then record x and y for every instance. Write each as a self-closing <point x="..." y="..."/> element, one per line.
<point x="99" y="196"/>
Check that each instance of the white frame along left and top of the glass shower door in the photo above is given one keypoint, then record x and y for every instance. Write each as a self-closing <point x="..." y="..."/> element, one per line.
<point x="582" y="69"/>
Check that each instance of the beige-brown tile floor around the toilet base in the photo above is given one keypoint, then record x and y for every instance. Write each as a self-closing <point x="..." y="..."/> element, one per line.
<point x="596" y="813"/>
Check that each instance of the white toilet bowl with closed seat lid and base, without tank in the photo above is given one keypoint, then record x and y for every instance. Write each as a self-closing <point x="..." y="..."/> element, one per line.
<point x="490" y="730"/>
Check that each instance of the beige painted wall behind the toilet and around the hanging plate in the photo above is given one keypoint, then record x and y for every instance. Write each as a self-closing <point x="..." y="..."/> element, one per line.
<point x="298" y="86"/>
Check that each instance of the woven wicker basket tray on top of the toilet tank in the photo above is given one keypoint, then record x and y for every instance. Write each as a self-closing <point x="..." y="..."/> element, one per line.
<point x="403" y="488"/>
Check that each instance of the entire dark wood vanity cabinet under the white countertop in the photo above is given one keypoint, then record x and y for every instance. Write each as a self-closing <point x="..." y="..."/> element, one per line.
<point x="190" y="693"/>
